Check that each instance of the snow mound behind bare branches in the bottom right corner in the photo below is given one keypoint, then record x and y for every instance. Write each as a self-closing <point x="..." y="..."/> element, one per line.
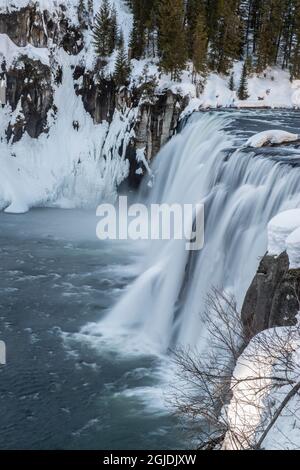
<point x="261" y="381"/>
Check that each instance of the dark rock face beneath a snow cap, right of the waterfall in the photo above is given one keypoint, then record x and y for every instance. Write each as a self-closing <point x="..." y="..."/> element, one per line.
<point x="273" y="298"/>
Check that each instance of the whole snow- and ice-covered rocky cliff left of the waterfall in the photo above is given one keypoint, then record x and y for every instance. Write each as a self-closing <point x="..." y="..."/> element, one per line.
<point x="52" y="82"/>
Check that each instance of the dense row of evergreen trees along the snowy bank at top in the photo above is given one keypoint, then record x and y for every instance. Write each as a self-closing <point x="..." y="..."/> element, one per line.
<point x="211" y="34"/>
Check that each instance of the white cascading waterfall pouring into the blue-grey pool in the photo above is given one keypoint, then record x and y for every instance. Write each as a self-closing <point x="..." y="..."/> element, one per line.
<point x="241" y="190"/>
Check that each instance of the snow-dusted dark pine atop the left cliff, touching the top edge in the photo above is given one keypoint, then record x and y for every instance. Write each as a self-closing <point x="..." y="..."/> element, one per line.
<point x="102" y="30"/>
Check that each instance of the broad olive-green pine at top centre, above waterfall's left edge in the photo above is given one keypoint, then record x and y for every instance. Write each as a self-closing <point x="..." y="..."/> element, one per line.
<point x="172" y="44"/>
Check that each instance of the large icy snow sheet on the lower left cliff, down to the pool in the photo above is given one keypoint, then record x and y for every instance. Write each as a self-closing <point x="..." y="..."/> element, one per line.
<point x="65" y="168"/>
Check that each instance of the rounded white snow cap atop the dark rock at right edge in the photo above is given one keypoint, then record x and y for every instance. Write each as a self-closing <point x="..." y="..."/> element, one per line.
<point x="279" y="229"/>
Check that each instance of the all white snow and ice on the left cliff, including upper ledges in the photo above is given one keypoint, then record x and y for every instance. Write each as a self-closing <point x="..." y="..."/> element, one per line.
<point x="66" y="167"/>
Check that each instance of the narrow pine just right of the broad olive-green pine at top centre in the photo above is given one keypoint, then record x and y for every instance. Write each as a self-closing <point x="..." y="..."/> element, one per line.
<point x="200" y="43"/>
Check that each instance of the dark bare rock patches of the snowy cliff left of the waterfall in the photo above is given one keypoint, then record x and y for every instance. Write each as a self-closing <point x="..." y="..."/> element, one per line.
<point x="31" y="87"/>
